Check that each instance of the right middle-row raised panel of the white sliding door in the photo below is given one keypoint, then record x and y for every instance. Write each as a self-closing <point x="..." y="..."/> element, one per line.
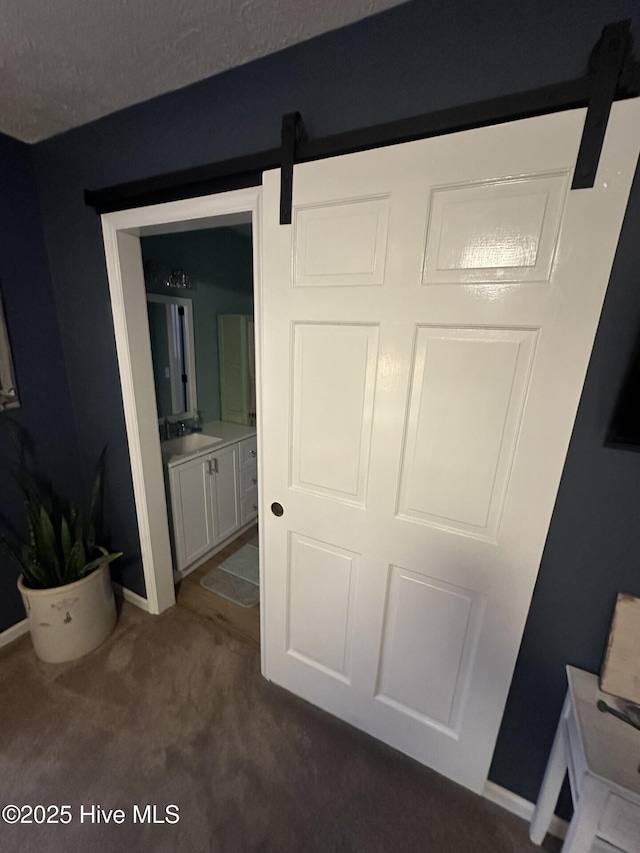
<point x="468" y="391"/>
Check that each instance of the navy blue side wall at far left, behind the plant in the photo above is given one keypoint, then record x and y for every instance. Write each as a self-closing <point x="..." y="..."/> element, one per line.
<point x="32" y="323"/>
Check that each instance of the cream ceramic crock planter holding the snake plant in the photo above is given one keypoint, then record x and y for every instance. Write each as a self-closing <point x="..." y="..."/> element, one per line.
<point x="69" y="621"/>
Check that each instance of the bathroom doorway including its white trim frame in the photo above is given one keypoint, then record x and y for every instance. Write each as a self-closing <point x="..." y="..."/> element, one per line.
<point x="205" y="415"/>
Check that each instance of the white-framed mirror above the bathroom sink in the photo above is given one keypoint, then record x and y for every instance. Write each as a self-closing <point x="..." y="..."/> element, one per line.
<point x="173" y="354"/>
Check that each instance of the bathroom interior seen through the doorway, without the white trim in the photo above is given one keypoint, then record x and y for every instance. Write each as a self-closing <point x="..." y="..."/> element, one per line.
<point x="199" y="287"/>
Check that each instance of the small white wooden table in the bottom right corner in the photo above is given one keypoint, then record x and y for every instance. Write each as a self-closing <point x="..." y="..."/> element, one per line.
<point x="602" y="757"/>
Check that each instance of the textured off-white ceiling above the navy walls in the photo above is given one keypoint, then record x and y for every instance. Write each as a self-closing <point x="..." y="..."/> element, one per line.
<point x="66" y="62"/>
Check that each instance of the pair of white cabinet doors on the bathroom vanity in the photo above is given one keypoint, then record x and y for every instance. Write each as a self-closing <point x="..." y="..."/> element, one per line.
<point x="205" y="503"/>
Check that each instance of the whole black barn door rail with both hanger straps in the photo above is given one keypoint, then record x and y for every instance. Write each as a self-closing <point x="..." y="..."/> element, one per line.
<point x="613" y="75"/>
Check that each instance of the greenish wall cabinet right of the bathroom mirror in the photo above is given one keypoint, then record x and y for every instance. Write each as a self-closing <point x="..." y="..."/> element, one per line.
<point x="237" y="368"/>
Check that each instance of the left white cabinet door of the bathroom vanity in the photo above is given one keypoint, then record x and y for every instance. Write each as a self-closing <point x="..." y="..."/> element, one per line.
<point x="192" y="519"/>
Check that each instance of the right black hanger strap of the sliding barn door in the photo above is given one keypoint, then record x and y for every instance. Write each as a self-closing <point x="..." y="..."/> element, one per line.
<point x="610" y="56"/>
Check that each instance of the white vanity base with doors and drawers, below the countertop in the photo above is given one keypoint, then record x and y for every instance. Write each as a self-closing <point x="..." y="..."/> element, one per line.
<point x="214" y="494"/>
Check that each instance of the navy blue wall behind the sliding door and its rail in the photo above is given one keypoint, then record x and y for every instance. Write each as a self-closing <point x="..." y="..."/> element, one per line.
<point x="416" y="58"/>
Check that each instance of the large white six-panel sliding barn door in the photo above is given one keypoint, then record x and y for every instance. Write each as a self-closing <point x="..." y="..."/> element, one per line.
<point x="427" y="324"/>
